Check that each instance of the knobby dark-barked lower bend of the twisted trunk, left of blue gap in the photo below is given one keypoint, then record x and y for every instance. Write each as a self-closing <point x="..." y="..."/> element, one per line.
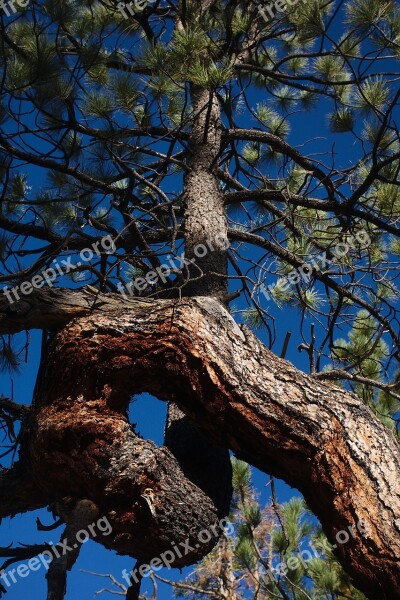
<point x="84" y="447"/>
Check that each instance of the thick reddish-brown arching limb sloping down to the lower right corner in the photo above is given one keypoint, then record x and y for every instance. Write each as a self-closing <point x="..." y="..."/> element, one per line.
<point x="321" y="439"/>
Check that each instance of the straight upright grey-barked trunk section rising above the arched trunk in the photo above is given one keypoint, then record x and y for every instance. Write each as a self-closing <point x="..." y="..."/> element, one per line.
<point x="206" y="239"/>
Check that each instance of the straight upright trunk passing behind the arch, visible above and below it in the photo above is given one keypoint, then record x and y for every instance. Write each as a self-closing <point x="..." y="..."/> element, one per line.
<point x="206" y="244"/>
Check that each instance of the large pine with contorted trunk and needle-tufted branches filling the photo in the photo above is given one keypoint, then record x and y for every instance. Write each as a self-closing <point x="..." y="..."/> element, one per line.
<point x="163" y="170"/>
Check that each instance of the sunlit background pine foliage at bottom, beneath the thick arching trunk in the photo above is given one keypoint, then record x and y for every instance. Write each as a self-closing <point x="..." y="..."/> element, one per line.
<point x="278" y="551"/>
